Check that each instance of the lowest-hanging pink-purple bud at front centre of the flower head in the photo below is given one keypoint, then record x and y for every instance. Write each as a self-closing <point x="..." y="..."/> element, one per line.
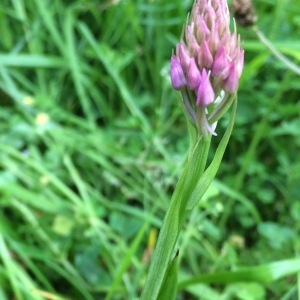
<point x="205" y="94"/>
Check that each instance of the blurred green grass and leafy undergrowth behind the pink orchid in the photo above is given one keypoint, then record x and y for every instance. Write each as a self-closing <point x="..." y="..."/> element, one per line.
<point x="92" y="142"/>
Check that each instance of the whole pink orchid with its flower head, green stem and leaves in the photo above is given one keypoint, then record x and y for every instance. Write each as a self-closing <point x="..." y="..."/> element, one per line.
<point x="206" y="69"/>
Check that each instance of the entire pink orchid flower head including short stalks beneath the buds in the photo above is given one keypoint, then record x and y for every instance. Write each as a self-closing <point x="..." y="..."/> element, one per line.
<point x="208" y="62"/>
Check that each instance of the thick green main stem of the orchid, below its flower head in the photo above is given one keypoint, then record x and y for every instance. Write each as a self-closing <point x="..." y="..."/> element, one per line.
<point x="174" y="219"/>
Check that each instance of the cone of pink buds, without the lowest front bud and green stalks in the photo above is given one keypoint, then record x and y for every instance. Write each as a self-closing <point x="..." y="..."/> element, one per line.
<point x="207" y="39"/>
